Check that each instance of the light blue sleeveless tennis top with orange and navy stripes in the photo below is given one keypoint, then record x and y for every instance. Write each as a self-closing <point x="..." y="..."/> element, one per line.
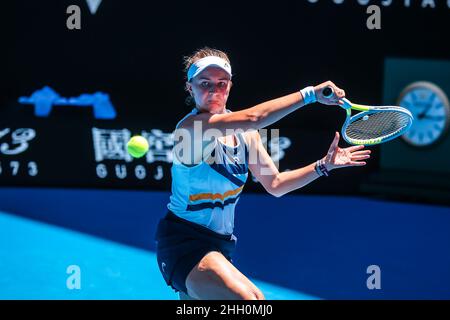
<point x="208" y="192"/>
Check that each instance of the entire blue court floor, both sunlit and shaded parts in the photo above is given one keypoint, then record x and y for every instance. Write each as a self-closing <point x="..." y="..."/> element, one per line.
<point x="304" y="247"/>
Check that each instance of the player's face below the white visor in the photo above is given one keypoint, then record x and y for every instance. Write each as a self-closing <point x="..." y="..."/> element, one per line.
<point x="210" y="89"/>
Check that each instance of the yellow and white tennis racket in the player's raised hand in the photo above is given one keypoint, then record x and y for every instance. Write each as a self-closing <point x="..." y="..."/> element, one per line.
<point x="374" y="124"/>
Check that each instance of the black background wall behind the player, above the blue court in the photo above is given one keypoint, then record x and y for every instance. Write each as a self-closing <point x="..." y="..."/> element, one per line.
<point x="133" y="52"/>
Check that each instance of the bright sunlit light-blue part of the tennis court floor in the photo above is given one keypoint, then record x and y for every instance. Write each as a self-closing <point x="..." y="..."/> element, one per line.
<point x="35" y="257"/>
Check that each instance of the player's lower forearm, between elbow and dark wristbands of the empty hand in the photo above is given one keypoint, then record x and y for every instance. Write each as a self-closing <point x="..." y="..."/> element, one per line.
<point x="288" y="181"/>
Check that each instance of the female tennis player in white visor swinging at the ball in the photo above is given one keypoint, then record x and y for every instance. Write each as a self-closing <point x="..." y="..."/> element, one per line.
<point x="195" y="240"/>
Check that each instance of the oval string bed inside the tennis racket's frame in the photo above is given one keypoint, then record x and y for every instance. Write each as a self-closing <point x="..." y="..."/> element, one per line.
<point x="378" y="125"/>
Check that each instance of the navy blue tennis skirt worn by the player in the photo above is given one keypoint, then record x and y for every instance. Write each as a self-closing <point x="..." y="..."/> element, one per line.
<point x="182" y="244"/>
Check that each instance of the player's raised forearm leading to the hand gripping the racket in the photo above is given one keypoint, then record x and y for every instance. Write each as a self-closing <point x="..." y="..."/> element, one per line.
<point x="271" y="111"/>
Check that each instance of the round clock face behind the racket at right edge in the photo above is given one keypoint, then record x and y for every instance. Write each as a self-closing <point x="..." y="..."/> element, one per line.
<point x="431" y="111"/>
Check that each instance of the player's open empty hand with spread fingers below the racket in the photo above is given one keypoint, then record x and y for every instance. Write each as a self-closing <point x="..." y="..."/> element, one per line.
<point x="345" y="157"/>
